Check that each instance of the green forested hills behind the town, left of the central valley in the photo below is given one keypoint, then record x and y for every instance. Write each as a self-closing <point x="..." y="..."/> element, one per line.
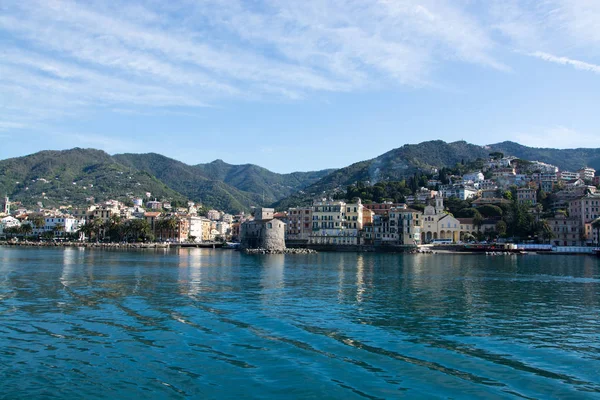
<point x="72" y="176"/>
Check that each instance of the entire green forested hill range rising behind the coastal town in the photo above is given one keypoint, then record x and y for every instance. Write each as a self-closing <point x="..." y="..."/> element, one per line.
<point x="74" y="176"/>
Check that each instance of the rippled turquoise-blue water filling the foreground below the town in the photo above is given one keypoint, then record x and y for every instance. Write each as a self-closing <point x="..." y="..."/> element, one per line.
<point x="195" y="323"/>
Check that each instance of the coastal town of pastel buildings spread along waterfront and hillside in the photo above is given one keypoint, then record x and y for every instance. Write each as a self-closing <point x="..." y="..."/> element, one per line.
<point x="501" y="199"/>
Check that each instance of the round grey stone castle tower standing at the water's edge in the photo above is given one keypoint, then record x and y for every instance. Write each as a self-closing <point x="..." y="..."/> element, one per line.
<point x="263" y="232"/>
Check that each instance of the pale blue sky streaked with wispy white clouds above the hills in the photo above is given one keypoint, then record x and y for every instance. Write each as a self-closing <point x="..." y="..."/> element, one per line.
<point x="296" y="85"/>
